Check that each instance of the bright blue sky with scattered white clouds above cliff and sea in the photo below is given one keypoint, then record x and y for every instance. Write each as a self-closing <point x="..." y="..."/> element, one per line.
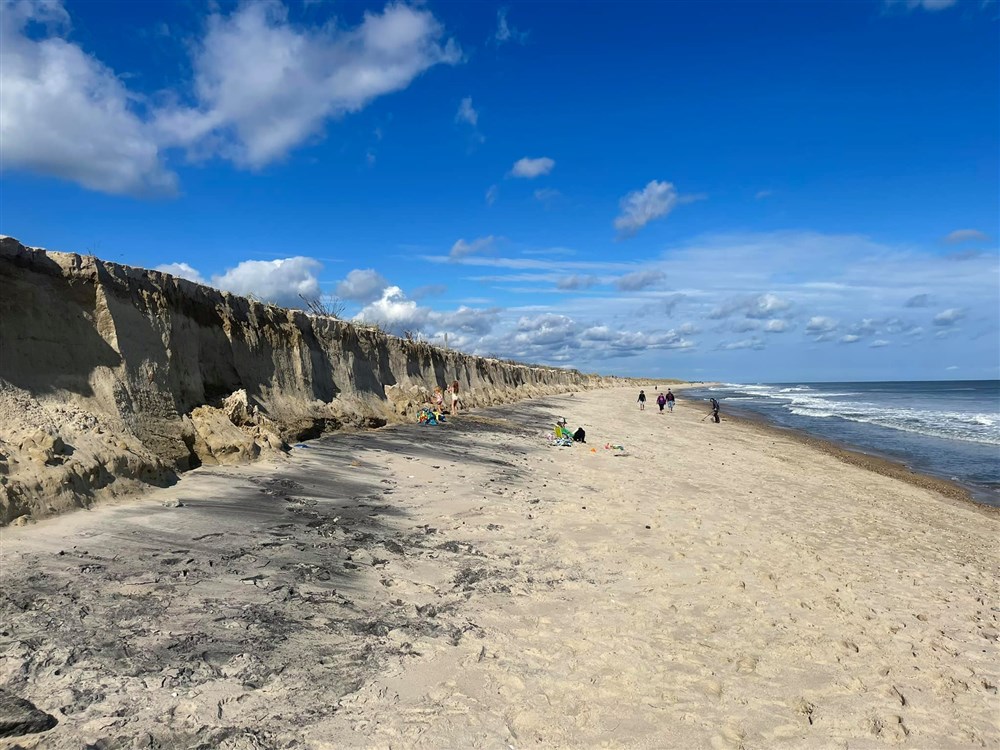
<point x="734" y="191"/>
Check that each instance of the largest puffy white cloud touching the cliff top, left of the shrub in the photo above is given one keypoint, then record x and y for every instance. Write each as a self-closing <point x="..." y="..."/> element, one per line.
<point x="283" y="282"/>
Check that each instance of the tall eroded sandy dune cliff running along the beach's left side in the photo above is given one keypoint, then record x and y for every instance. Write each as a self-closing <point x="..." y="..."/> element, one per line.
<point x="112" y="377"/>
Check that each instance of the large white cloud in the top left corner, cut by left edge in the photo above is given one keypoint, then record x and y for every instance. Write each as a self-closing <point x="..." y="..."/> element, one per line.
<point x="65" y="114"/>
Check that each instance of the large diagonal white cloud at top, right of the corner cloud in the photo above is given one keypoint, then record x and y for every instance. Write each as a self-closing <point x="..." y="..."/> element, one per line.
<point x="263" y="86"/>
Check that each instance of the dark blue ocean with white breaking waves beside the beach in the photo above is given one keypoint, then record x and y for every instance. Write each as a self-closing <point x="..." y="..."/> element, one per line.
<point x="949" y="429"/>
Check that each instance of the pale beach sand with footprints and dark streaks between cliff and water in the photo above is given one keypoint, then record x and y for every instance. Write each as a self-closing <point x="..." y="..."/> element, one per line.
<point x="469" y="586"/>
